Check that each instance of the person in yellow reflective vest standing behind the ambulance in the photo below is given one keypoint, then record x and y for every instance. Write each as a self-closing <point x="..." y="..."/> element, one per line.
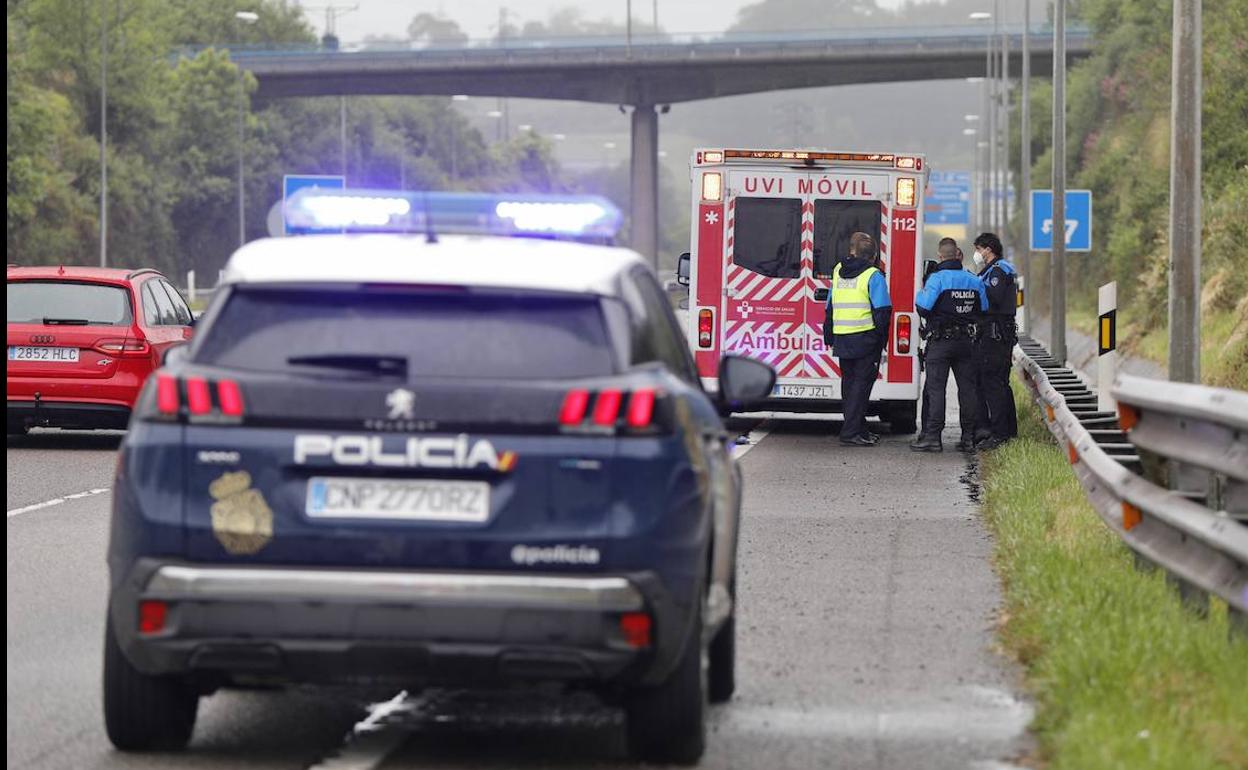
<point x="857" y="329"/>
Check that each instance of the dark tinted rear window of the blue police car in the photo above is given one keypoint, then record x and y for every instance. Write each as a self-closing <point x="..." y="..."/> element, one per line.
<point x="410" y="333"/>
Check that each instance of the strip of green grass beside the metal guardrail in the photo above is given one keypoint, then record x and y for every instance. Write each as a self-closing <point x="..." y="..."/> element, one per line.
<point x="1124" y="676"/>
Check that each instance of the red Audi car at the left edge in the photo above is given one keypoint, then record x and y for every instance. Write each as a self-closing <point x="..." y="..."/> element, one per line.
<point x="83" y="341"/>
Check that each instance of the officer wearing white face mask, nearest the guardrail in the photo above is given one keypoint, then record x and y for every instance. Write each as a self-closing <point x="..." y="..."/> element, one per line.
<point x="995" y="343"/>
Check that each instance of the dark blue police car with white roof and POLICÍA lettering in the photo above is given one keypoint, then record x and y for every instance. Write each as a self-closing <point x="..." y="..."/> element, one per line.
<point x="432" y="461"/>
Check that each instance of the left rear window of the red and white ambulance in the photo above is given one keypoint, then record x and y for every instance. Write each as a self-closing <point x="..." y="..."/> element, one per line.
<point x="767" y="238"/>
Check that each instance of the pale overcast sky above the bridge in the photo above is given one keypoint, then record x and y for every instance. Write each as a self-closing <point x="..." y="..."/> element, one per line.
<point x="480" y="17"/>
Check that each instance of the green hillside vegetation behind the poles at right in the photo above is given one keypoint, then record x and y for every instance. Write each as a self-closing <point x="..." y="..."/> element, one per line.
<point x="1119" y="147"/>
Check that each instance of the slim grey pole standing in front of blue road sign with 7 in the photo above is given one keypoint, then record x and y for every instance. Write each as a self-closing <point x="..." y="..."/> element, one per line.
<point x="1058" y="269"/>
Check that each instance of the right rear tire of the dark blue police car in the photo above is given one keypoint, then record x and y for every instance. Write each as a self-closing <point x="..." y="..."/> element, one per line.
<point x="667" y="724"/>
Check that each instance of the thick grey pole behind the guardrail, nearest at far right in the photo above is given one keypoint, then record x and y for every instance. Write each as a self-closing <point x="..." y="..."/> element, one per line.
<point x="1185" y="189"/>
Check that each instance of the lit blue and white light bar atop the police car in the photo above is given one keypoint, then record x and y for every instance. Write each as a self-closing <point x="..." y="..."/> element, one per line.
<point x="321" y="210"/>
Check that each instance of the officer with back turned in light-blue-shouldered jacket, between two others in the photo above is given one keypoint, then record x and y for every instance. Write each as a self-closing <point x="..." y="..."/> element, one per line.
<point x="950" y="304"/>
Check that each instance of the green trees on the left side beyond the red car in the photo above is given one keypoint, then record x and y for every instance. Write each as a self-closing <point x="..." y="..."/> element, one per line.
<point x="174" y="145"/>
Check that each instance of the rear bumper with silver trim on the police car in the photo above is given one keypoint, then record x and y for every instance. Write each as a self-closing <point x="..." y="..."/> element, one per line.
<point x="323" y="626"/>
